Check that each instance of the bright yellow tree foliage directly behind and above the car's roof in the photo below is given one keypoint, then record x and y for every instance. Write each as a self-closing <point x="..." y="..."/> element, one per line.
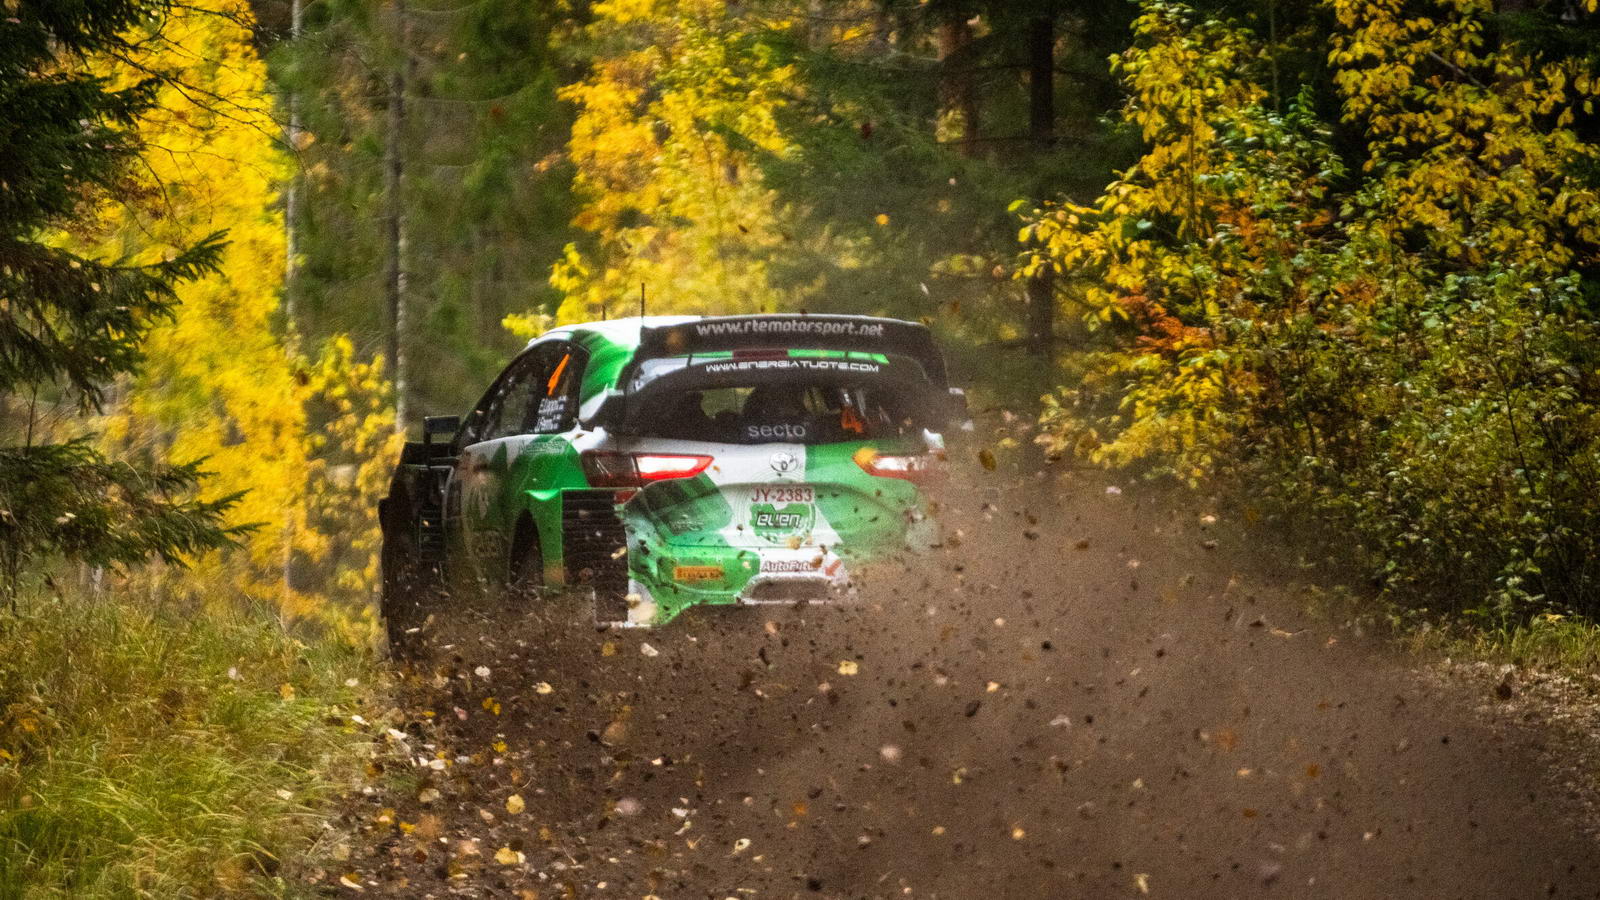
<point x="671" y="201"/>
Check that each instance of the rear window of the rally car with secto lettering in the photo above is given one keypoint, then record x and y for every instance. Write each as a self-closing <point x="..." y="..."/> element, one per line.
<point x="780" y="414"/>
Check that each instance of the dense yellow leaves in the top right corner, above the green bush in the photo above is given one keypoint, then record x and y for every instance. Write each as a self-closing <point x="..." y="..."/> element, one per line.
<point x="1482" y="161"/>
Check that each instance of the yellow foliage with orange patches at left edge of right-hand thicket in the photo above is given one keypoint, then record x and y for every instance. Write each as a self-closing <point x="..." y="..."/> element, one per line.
<point x="1130" y="260"/>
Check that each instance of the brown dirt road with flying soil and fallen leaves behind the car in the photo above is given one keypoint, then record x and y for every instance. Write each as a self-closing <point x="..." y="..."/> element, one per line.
<point x="1105" y="697"/>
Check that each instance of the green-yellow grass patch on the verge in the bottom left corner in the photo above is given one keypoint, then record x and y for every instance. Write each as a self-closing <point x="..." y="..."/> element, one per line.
<point x="166" y="753"/>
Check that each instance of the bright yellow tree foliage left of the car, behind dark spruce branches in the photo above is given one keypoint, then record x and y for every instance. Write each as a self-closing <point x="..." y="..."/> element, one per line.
<point x="218" y="384"/>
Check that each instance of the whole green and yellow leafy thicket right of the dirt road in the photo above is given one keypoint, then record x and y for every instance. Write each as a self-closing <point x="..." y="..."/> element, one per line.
<point x="1396" y="340"/>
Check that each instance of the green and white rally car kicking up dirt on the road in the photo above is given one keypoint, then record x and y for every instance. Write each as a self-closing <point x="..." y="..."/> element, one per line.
<point x="674" y="462"/>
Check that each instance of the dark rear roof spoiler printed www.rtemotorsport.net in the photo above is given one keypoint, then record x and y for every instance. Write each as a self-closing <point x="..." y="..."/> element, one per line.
<point x="793" y="331"/>
